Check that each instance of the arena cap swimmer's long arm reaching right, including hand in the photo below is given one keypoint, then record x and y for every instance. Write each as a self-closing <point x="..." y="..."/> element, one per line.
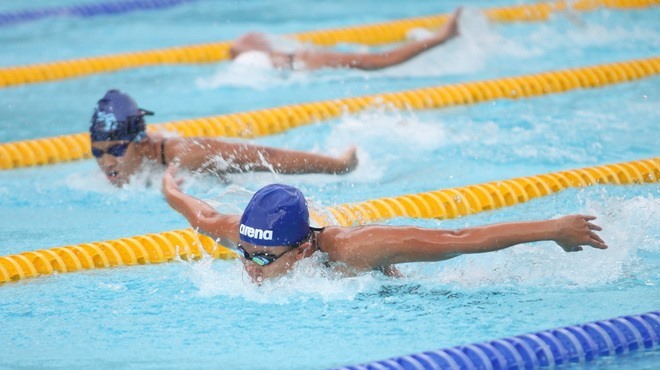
<point x="370" y="247"/>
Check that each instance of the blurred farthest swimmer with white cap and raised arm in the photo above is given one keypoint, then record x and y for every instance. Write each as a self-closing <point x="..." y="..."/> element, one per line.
<point x="315" y="59"/>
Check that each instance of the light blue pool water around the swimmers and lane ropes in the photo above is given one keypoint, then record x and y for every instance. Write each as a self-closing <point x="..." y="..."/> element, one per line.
<point x="207" y="315"/>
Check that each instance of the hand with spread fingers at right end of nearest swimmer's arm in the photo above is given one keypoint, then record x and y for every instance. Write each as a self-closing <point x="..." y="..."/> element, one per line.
<point x="574" y="231"/>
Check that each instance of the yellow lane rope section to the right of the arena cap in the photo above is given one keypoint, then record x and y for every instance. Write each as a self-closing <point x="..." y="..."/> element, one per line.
<point x="463" y="201"/>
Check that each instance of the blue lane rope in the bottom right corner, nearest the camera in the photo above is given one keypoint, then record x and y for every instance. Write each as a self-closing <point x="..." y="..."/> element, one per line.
<point x="548" y="348"/>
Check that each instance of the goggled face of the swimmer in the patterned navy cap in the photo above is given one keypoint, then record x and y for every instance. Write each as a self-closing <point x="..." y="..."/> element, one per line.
<point x="117" y="168"/>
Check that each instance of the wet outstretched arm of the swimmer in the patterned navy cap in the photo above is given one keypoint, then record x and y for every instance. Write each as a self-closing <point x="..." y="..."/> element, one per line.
<point x="206" y="154"/>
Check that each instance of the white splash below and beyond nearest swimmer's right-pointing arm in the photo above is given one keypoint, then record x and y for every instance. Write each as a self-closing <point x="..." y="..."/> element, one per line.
<point x="628" y="228"/>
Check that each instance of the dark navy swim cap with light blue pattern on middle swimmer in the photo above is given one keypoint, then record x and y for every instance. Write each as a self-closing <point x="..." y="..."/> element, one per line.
<point x="117" y="117"/>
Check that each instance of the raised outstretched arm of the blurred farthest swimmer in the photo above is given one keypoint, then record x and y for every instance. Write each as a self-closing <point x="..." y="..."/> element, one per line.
<point x="373" y="61"/>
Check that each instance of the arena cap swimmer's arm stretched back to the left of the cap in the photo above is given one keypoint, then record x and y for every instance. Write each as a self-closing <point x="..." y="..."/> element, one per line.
<point x="223" y="228"/>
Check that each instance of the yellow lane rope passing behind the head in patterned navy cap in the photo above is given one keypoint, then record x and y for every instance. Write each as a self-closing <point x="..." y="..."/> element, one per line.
<point x="275" y="120"/>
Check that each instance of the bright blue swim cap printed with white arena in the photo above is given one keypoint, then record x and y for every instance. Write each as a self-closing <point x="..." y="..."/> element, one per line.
<point x="276" y="215"/>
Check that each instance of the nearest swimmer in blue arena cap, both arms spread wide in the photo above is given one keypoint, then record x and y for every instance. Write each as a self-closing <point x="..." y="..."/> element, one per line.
<point x="274" y="233"/>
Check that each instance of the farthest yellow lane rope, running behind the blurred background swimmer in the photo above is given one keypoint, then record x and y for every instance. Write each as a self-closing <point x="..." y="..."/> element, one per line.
<point x="373" y="34"/>
